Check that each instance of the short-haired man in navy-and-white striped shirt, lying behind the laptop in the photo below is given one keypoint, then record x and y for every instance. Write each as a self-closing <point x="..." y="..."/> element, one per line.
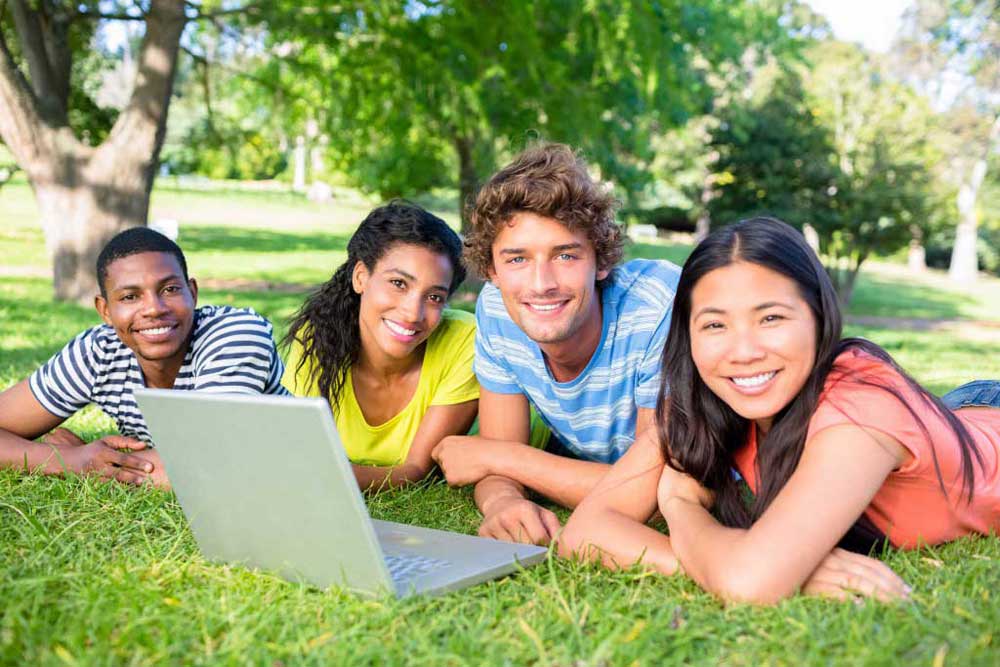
<point x="153" y="336"/>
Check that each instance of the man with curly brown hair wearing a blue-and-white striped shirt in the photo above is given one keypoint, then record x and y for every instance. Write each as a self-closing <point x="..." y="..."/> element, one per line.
<point x="560" y="328"/>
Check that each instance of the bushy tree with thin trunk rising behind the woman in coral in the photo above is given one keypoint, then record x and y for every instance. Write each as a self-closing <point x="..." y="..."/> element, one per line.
<point x="833" y="144"/>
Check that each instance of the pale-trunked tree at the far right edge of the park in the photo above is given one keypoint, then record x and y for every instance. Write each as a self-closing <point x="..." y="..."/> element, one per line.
<point x="951" y="51"/>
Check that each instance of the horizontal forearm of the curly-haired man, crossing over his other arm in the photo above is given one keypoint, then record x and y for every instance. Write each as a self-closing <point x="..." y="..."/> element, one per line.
<point x="563" y="480"/>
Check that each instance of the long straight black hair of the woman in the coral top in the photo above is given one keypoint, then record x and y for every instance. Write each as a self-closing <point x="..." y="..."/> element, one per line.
<point x="699" y="433"/>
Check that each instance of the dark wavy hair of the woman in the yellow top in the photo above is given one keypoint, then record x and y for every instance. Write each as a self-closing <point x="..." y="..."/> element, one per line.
<point x="327" y="324"/>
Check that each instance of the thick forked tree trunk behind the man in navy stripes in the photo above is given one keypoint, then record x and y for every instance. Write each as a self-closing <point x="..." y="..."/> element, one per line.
<point x="86" y="195"/>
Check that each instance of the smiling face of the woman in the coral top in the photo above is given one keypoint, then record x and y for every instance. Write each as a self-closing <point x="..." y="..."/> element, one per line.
<point x="753" y="339"/>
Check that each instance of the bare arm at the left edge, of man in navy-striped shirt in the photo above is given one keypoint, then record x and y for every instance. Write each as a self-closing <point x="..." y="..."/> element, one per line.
<point x="22" y="418"/>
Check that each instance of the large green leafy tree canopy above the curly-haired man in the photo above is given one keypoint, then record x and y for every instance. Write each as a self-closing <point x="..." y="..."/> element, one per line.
<point x="422" y="94"/>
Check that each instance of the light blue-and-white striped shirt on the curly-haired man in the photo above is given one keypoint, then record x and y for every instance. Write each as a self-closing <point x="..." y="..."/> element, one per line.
<point x="594" y="414"/>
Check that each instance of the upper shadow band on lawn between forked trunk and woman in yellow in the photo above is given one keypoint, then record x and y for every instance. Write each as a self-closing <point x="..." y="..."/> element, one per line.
<point x="235" y="239"/>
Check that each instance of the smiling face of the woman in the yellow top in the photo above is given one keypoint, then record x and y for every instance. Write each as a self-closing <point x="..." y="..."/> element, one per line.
<point x="402" y="298"/>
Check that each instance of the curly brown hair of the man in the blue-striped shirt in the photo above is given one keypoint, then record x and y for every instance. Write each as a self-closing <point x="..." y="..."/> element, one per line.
<point x="550" y="180"/>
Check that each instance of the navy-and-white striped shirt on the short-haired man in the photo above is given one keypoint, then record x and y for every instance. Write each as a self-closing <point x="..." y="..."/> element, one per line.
<point x="231" y="351"/>
